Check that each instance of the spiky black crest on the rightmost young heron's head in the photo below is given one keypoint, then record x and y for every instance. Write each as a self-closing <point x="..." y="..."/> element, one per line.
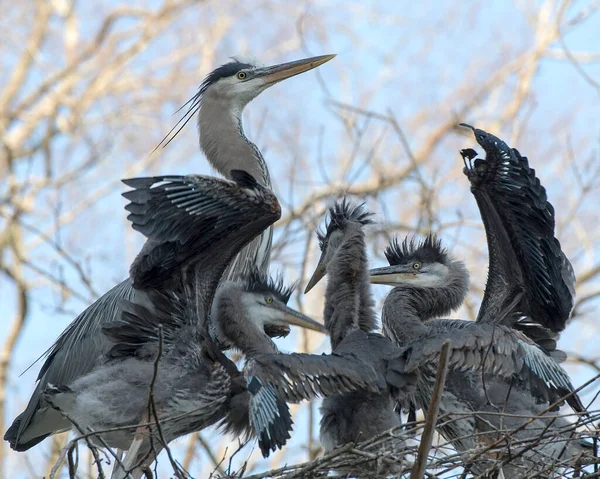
<point x="428" y="250"/>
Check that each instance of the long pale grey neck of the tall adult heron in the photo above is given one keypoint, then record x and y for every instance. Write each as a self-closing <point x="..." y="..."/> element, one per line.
<point x="223" y="141"/>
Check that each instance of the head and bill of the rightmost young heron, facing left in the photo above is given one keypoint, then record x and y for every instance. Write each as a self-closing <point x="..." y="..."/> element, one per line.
<point x="414" y="263"/>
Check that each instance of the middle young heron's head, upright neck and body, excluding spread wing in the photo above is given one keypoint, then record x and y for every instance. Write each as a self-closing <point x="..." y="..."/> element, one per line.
<point x="350" y="319"/>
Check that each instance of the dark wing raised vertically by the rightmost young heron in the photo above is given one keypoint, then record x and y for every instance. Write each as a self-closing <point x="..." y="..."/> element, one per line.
<point x="524" y="254"/>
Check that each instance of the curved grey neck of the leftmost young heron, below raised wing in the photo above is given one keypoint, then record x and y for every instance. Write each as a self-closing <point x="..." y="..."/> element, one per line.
<point x="233" y="325"/>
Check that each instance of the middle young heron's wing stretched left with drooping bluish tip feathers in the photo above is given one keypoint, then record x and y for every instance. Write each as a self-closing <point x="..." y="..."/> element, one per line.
<point x="367" y="363"/>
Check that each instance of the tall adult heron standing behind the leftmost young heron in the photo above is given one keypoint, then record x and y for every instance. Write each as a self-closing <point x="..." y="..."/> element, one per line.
<point x="219" y="103"/>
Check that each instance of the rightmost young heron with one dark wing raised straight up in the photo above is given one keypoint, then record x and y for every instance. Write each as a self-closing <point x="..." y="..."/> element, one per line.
<point x="506" y="362"/>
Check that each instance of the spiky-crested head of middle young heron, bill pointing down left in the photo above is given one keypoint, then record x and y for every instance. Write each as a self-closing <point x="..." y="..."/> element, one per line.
<point x="341" y="217"/>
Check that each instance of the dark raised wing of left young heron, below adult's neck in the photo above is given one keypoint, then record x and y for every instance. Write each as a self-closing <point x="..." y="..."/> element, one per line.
<point x="195" y="225"/>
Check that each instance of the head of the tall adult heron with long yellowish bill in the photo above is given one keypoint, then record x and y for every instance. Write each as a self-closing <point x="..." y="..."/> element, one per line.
<point x="239" y="82"/>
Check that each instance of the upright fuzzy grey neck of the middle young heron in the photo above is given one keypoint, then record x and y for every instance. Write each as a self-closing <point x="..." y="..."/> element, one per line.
<point x="348" y="301"/>
